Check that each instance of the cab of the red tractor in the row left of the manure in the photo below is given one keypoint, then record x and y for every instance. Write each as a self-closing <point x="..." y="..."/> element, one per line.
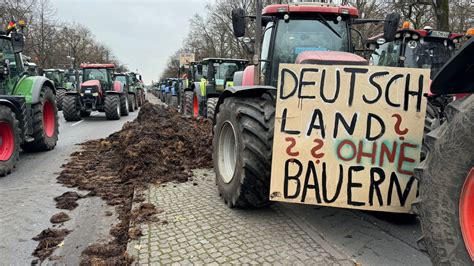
<point x="97" y="77"/>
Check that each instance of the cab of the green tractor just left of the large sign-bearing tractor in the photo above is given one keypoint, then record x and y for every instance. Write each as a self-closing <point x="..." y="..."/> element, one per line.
<point x="219" y="73"/>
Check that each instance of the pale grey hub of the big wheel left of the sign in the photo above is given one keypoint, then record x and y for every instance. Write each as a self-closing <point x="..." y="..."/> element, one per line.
<point x="227" y="152"/>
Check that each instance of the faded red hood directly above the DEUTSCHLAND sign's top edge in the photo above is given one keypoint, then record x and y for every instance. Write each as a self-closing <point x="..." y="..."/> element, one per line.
<point x="330" y="58"/>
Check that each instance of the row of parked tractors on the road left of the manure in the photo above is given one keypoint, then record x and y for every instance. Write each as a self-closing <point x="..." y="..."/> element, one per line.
<point x="29" y="102"/>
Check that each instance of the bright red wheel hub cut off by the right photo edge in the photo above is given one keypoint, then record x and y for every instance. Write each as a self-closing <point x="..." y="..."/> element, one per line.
<point x="466" y="213"/>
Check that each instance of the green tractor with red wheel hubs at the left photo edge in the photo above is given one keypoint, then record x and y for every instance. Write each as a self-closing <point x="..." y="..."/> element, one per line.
<point x="28" y="112"/>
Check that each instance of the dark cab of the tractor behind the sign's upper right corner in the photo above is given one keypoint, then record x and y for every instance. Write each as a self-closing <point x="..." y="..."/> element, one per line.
<point x="415" y="48"/>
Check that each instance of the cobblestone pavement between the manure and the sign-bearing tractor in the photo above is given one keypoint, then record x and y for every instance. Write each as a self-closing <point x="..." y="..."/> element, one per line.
<point x="201" y="229"/>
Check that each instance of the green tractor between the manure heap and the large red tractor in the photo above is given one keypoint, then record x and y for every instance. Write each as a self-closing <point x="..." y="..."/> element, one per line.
<point x="210" y="78"/>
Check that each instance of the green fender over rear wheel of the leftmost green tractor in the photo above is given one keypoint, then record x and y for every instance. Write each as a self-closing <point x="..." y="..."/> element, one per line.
<point x="30" y="88"/>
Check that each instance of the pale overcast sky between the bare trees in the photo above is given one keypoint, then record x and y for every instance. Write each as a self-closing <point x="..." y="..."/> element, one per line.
<point x="141" y="33"/>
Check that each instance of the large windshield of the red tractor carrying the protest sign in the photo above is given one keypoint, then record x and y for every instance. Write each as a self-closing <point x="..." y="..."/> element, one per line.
<point x="301" y="35"/>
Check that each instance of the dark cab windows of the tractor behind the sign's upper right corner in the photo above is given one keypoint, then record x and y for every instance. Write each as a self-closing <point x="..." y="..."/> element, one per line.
<point x="432" y="54"/>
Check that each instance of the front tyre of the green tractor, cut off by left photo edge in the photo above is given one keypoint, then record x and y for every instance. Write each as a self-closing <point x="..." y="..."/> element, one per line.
<point x="8" y="116"/>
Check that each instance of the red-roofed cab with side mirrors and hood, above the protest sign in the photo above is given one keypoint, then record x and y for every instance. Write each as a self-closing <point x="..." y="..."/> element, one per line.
<point x="302" y="33"/>
